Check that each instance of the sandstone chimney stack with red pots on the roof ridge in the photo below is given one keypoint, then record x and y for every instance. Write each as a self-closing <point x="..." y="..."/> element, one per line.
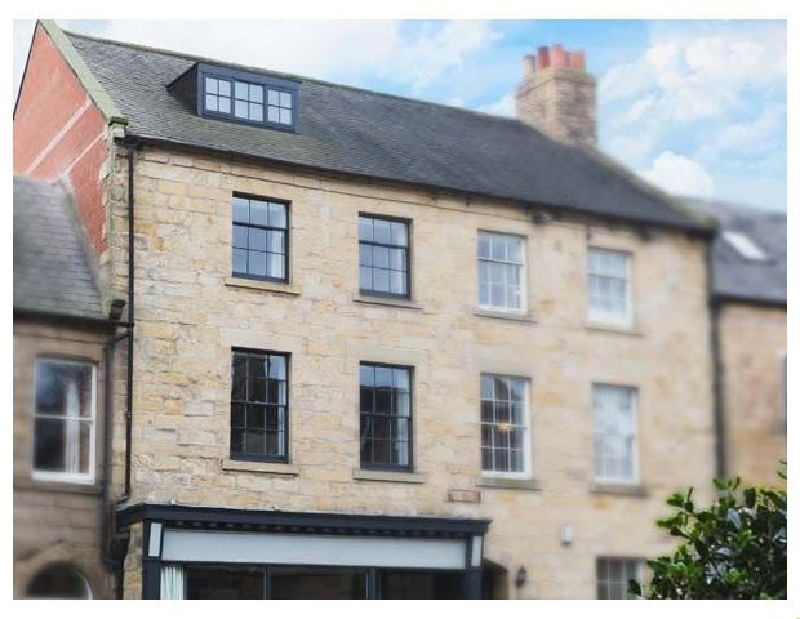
<point x="557" y="95"/>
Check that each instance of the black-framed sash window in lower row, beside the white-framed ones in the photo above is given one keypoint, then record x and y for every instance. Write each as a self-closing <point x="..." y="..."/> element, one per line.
<point x="386" y="432"/>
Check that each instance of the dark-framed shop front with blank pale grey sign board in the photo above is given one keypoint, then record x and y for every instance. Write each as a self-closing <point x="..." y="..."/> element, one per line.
<point x="215" y="553"/>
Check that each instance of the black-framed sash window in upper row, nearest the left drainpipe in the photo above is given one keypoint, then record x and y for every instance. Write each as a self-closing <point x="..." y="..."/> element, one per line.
<point x="260" y="238"/>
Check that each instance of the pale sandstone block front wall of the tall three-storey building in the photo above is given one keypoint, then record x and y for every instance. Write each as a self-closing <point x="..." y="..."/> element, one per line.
<point x="190" y="313"/>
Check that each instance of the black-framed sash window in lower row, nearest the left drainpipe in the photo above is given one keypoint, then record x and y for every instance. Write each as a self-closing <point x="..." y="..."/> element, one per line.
<point x="259" y="405"/>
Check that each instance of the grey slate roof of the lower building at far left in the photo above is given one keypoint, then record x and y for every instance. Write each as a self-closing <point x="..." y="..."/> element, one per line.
<point x="51" y="270"/>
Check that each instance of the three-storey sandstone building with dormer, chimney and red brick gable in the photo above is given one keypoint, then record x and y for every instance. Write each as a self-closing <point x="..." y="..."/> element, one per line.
<point x="382" y="348"/>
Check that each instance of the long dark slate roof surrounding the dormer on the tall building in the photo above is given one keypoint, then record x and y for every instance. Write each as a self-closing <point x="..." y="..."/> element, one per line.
<point x="349" y="130"/>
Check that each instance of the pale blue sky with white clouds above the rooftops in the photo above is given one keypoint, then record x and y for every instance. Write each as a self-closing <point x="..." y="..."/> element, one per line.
<point x="698" y="107"/>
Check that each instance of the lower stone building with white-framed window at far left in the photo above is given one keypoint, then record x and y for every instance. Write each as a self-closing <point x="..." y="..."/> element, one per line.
<point x="60" y="376"/>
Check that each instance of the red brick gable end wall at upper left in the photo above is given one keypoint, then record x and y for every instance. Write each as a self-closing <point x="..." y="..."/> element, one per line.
<point x="58" y="130"/>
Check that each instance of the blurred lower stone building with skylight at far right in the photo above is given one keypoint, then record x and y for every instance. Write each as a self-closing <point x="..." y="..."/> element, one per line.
<point x="749" y="330"/>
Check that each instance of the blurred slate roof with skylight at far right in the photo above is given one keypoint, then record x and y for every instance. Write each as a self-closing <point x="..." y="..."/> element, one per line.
<point x="736" y="277"/>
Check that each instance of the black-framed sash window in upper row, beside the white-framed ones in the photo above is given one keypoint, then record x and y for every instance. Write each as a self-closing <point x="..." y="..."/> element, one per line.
<point x="384" y="256"/>
